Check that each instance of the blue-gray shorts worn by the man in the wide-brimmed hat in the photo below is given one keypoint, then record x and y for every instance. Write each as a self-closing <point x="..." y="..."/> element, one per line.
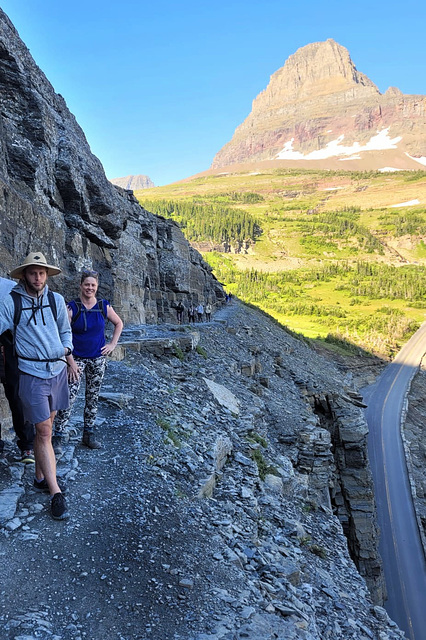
<point x="41" y="396"/>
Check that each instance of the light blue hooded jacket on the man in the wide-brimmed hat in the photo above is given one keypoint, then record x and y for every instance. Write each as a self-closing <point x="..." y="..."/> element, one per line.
<point x="38" y="335"/>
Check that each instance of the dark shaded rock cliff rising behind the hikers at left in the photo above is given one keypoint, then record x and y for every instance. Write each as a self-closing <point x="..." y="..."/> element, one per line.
<point x="55" y="197"/>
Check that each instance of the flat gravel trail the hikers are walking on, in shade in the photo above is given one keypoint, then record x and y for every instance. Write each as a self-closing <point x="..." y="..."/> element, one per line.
<point x="99" y="574"/>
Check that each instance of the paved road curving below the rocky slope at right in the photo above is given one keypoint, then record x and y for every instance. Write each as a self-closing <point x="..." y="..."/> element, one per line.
<point x="400" y="546"/>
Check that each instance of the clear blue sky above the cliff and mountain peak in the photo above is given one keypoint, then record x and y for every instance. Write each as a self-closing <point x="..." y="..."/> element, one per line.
<point x="159" y="87"/>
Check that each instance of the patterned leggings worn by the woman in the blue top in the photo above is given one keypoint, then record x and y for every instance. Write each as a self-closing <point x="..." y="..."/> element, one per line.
<point x="94" y="369"/>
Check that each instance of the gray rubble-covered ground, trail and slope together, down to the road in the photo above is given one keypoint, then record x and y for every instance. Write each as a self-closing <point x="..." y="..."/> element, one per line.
<point x="231" y="524"/>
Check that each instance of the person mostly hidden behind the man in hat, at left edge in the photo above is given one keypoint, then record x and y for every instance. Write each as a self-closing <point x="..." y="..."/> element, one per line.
<point x="9" y="376"/>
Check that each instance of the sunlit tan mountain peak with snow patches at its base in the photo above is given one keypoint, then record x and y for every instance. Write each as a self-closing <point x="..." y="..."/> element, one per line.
<point x="319" y="107"/>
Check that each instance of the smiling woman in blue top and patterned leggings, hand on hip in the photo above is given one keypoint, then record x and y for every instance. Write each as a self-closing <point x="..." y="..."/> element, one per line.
<point x="88" y="316"/>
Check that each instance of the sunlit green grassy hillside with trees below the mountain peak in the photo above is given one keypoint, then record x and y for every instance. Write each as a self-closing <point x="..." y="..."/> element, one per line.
<point x="335" y="255"/>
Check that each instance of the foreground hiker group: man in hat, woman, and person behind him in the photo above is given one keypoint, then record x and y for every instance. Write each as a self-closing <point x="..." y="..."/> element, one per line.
<point x="46" y="346"/>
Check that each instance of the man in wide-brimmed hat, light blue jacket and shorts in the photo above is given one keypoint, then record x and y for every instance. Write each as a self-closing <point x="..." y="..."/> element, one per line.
<point x="42" y="339"/>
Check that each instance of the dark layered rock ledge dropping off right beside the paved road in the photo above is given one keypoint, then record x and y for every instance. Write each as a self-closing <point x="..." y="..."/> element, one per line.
<point x="329" y="448"/>
